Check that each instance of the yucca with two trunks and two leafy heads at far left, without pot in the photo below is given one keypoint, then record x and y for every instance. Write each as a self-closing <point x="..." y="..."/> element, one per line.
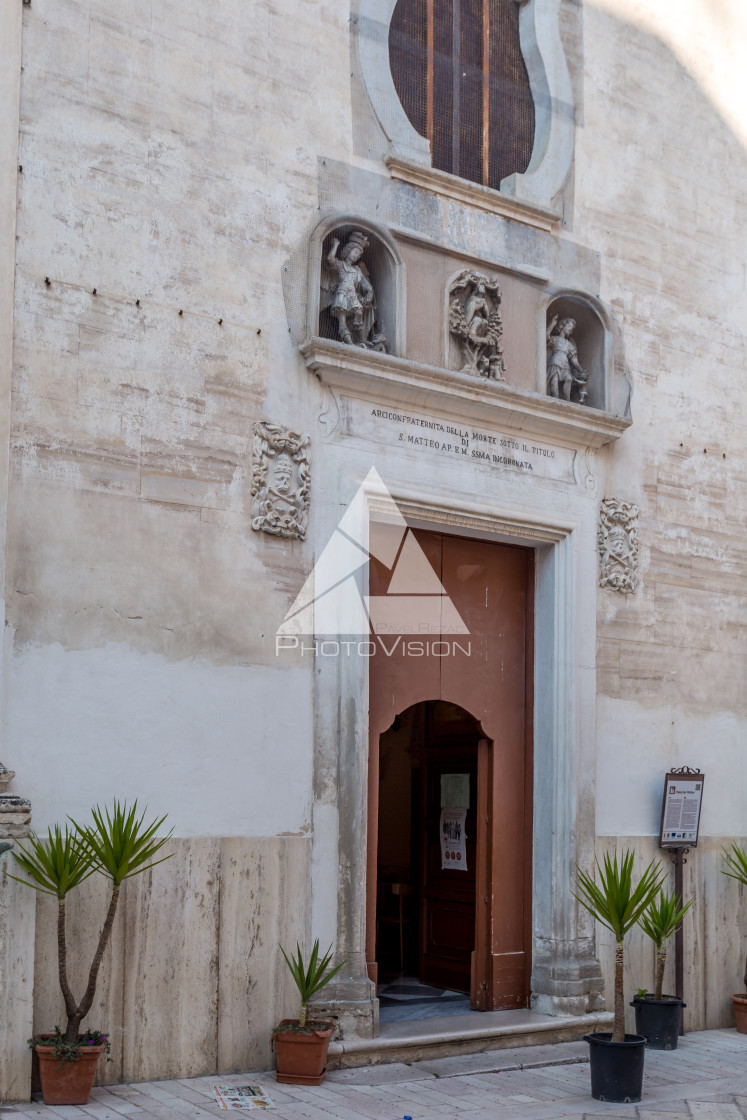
<point x="118" y="845"/>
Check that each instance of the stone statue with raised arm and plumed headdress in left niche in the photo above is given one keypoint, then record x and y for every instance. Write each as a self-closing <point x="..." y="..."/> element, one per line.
<point x="348" y="292"/>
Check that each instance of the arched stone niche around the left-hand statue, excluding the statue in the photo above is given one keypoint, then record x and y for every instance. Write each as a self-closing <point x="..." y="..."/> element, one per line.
<point x="385" y="267"/>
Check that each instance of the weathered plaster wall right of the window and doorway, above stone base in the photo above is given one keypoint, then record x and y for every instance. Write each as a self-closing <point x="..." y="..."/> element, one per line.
<point x="673" y="659"/>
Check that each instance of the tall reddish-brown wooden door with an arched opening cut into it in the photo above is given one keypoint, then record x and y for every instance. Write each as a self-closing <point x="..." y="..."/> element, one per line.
<point x="489" y="675"/>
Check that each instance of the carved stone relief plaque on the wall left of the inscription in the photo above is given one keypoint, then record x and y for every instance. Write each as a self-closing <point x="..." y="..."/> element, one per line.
<point x="281" y="481"/>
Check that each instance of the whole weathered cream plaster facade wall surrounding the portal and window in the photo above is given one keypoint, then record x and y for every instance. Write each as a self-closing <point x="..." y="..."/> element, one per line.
<point x="179" y="155"/>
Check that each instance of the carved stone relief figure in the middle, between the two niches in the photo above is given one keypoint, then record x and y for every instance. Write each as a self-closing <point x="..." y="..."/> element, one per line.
<point x="475" y="324"/>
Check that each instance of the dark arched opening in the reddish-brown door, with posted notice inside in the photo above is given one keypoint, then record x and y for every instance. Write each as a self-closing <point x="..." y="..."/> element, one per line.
<point x="427" y="846"/>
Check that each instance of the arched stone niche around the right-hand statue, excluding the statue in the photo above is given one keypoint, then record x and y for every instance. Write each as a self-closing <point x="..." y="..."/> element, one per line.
<point x="594" y="342"/>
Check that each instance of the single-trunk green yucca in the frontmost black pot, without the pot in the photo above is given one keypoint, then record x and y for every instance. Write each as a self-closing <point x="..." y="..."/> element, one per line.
<point x="619" y="906"/>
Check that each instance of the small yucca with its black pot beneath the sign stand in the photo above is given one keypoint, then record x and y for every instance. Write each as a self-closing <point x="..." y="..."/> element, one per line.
<point x="658" y="1018"/>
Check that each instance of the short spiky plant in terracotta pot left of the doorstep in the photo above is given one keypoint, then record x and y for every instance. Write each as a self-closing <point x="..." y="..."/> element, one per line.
<point x="302" y="1044"/>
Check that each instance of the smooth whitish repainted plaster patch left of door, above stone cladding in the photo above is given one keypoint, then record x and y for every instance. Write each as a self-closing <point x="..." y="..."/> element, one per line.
<point x="190" y="739"/>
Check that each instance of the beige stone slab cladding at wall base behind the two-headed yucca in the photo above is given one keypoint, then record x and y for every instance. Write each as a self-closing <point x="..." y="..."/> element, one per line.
<point x="194" y="979"/>
